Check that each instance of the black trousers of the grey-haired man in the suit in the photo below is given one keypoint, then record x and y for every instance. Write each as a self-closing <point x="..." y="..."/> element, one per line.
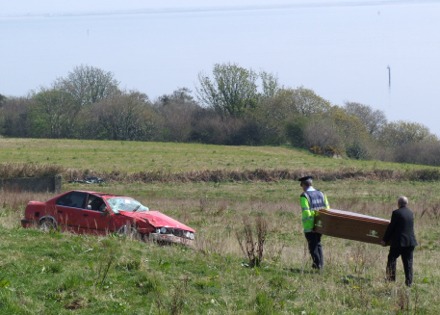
<point x="407" y="260"/>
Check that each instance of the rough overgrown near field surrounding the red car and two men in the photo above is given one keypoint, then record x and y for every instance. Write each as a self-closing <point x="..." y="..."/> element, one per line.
<point x="108" y="275"/>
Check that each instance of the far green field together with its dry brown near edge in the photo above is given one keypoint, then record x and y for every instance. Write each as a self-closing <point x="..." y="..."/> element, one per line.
<point x="171" y="162"/>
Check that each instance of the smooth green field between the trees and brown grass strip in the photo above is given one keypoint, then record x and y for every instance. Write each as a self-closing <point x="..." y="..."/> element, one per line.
<point x="133" y="157"/>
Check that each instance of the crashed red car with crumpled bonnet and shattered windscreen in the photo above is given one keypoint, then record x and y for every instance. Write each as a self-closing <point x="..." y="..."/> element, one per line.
<point x="99" y="213"/>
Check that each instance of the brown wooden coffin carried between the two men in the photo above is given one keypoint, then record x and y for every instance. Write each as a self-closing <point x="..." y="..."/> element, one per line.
<point x="351" y="225"/>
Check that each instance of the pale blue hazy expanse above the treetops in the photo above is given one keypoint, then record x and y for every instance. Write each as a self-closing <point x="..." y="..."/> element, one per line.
<point x="384" y="54"/>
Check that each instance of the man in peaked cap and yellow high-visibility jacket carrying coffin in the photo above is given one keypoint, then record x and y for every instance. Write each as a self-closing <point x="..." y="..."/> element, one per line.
<point x="311" y="201"/>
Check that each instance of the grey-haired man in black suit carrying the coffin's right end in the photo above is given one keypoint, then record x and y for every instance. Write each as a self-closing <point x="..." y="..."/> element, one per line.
<point x="401" y="238"/>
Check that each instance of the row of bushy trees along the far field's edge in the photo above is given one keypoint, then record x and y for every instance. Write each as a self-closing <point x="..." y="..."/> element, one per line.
<point x="230" y="106"/>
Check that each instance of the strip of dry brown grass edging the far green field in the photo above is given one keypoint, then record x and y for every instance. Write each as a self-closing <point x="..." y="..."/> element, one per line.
<point x="14" y="170"/>
